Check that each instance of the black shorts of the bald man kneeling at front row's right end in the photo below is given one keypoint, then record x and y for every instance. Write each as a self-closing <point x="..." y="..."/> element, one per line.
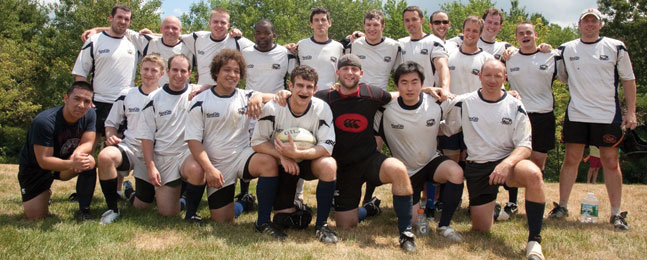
<point x="477" y="176"/>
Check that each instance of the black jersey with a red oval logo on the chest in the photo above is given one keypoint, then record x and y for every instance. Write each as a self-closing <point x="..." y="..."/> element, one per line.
<point x="353" y="117"/>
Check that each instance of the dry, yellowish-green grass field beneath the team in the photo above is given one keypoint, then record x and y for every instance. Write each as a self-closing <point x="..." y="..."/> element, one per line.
<point x="145" y="235"/>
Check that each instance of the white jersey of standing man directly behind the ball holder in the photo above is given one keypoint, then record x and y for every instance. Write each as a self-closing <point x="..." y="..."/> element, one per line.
<point x="322" y="56"/>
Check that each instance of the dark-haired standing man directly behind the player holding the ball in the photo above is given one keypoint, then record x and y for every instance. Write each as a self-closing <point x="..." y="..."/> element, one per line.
<point x="319" y="51"/>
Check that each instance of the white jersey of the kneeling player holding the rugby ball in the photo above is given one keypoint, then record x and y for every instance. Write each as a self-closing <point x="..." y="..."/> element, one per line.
<point x="317" y="119"/>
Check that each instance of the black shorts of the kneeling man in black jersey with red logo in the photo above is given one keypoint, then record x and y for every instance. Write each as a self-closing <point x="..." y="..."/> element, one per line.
<point x="351" y="177"/>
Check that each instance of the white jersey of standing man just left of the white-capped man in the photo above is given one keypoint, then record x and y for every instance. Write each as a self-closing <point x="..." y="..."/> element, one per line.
<point x="532" y="76"/>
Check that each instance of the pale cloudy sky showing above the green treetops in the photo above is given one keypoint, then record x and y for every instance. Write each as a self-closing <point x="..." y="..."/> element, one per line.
<point x="562" y="12"/>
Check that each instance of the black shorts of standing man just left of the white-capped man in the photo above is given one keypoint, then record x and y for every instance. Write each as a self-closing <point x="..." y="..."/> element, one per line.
<point x="543" y="131"/>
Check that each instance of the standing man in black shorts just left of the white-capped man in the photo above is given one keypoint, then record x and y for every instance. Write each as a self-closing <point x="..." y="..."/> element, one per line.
<point x="531" y="73"/>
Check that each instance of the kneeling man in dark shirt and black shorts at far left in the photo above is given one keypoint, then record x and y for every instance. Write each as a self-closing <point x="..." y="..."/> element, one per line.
<point x="58" y="147"/>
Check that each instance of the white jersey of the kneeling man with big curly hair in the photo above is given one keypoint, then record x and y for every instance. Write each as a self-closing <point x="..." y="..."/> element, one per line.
<point x="219" y="123"/>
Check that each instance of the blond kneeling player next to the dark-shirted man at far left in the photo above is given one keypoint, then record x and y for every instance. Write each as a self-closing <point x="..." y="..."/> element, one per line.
<point x="122" y="155"/>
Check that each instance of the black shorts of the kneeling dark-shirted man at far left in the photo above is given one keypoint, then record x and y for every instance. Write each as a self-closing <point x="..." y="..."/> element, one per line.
<point x="33" y="181"/>
